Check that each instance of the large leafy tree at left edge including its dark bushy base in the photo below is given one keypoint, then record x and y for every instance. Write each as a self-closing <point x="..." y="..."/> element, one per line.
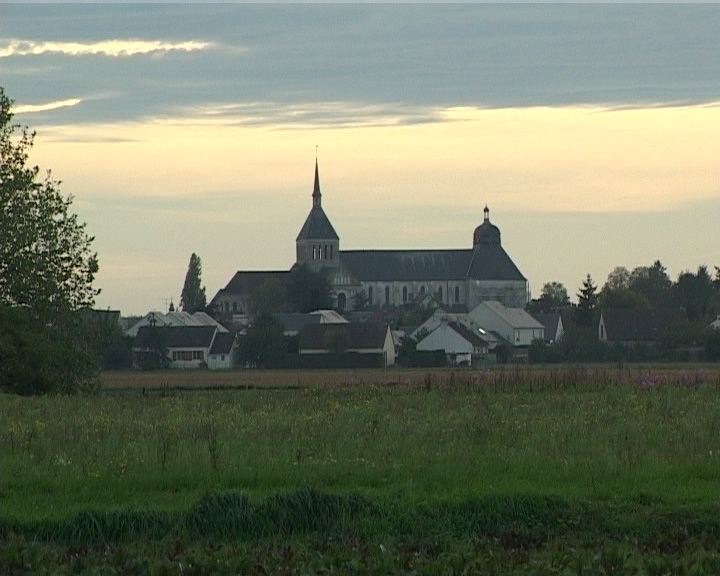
<point x="47" y="269"/>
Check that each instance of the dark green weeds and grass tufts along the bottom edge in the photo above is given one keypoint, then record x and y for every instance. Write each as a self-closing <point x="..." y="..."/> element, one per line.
<point x="312" y="533"/>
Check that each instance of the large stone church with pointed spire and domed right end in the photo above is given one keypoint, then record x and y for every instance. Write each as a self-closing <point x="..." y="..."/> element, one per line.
<point x="456" y="277"/>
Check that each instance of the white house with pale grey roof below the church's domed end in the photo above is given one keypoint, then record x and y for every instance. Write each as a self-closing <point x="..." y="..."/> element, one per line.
<point x="514" y="325"/>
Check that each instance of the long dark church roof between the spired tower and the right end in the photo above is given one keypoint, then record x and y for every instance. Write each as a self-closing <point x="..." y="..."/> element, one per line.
<point x="486" y="262"/>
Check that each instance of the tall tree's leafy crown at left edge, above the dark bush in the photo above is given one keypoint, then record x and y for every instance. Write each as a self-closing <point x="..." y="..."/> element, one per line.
<point x="46" y="261"/>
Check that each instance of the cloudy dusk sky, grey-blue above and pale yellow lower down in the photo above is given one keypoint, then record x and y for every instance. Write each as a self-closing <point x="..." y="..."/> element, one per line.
<point x="592" y="132"/>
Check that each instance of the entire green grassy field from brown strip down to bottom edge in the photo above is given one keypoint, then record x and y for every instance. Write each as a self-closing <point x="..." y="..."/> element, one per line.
<point x="513" y="467"/>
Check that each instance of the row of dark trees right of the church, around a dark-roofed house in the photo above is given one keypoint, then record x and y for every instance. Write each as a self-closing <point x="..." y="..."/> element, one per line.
<point x="693" y="300"/>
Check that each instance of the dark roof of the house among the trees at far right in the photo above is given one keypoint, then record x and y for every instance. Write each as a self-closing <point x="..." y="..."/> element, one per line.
<point x="637" y="325"/>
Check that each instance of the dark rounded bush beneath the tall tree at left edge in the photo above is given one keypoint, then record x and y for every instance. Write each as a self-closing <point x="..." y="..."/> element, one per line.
<point x="38" y="358"/>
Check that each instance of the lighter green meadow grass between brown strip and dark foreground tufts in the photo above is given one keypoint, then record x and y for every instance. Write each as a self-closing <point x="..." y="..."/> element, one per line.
<point x="595" y="434"/>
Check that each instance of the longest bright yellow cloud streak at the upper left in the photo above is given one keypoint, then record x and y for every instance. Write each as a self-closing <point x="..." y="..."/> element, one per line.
<point x="115" y="48"/>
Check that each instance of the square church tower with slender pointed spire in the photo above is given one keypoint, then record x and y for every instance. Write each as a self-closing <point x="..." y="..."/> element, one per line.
<point x="317" y="244"/>
